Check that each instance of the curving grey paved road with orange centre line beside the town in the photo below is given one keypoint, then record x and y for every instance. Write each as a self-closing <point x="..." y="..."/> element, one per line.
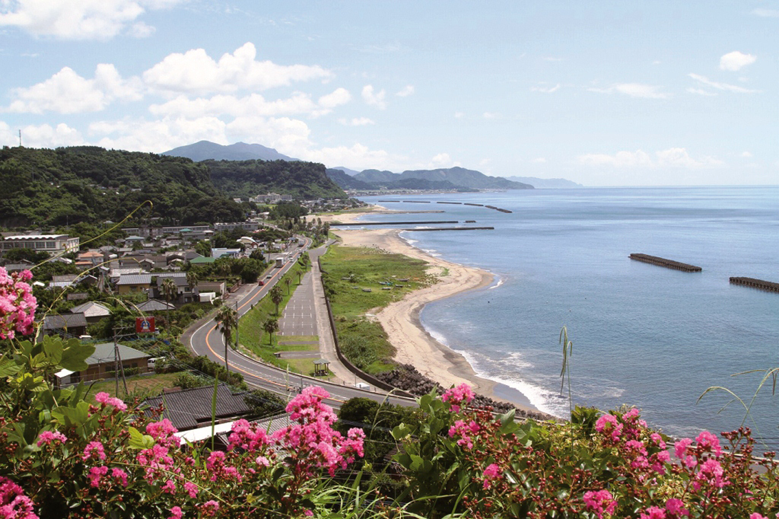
<point x="207" y="340"/>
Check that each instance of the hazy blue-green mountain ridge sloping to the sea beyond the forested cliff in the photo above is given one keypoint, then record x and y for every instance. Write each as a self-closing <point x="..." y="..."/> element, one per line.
<point x="458" y="177"/>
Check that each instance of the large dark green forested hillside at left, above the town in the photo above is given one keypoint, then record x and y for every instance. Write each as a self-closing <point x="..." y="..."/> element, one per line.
<point x="43" y="187"/>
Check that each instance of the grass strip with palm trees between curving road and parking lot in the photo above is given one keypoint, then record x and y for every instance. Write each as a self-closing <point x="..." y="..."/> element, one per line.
<point x="250" y="327"/>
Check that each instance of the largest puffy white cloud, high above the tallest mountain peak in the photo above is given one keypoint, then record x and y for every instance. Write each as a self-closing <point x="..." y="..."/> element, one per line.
<point x="196" y="72"/>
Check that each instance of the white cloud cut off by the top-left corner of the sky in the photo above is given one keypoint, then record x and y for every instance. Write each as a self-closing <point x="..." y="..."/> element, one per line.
<point x="80" y="19"/>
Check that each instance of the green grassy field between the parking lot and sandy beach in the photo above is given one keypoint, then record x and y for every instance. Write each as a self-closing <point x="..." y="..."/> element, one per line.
<point x="360" y="280"/>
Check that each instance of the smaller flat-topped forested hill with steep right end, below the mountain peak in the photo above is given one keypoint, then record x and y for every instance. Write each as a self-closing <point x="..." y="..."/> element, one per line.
<point x="246" y="178"/>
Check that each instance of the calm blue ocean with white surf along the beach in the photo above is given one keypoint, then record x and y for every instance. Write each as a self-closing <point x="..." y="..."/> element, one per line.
<point x="642" y="335"/>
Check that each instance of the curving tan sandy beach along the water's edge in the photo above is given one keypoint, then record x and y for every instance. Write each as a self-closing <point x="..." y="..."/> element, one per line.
<point x="401" y="319"/>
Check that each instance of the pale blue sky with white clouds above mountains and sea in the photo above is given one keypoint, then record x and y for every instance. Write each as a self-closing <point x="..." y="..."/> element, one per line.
<point x="603" y="93"/>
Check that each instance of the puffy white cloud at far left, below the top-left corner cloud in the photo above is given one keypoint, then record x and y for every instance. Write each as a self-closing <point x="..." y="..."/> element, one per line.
<point x="66" y="92"/>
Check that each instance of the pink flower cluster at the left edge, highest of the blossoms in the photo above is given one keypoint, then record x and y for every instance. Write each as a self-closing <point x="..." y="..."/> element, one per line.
<point x="17" y="304"/>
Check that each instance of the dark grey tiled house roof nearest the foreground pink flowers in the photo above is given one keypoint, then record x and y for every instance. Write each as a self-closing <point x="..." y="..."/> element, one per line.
<point x="191" y="408"/>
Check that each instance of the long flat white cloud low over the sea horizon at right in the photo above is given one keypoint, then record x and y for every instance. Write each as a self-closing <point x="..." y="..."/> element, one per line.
<point x="670" y="158"/>
